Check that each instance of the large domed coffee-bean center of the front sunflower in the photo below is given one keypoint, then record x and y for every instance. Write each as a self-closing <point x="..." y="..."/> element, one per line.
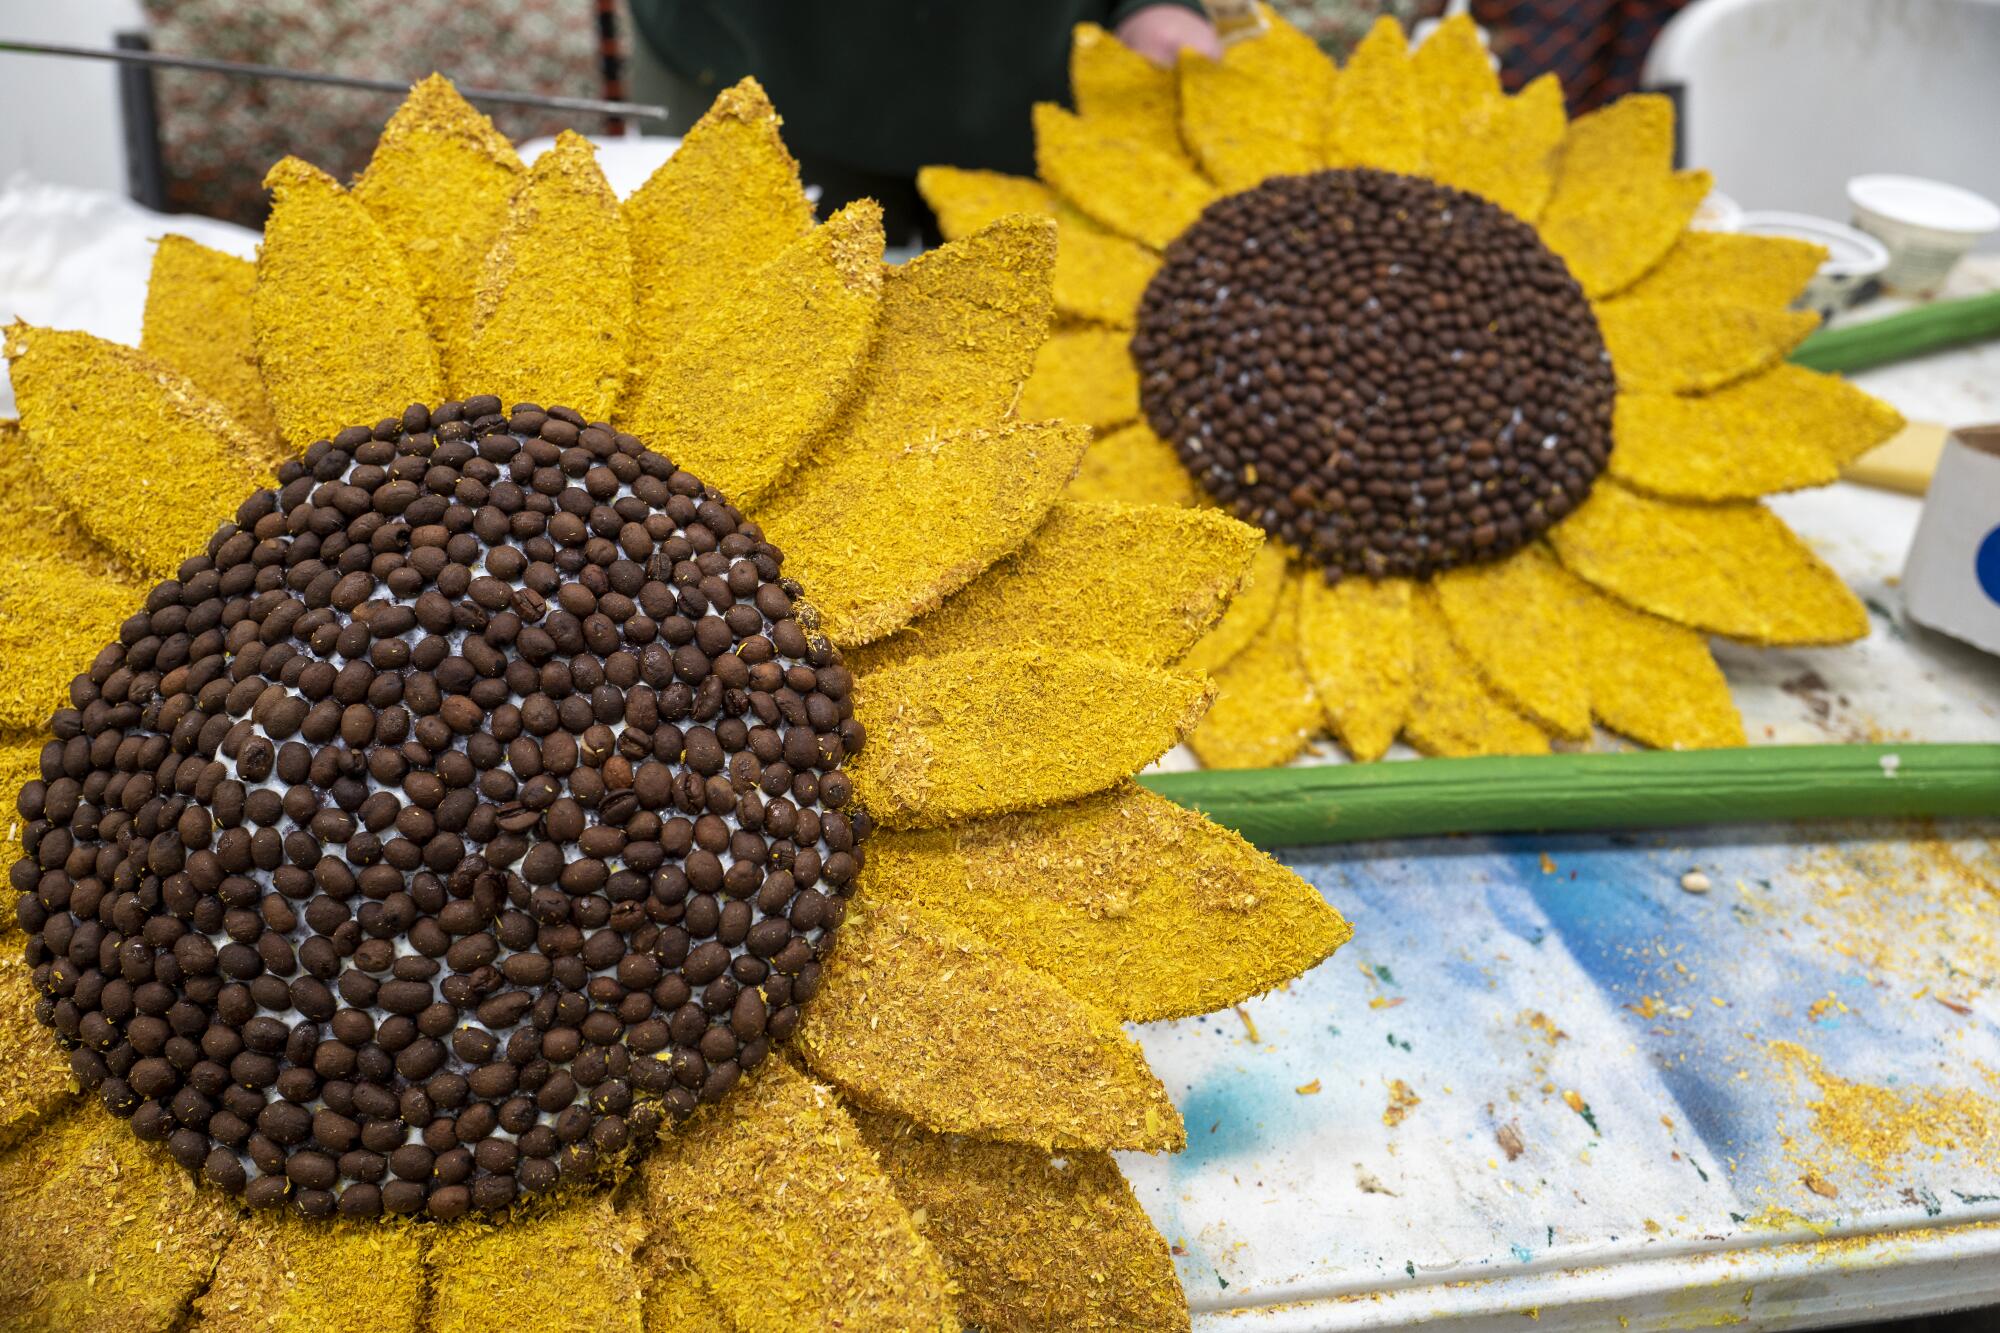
<point x="461" y="818"/>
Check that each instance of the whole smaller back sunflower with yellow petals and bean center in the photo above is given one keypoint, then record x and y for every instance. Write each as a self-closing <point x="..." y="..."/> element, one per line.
<point x="1503" y="417"/>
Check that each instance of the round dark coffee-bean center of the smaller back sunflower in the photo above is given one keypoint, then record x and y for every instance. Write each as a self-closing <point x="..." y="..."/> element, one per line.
<point x="1391" y="375"/>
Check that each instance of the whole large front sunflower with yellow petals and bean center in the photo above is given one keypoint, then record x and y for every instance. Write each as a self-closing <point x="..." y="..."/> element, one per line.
<point x="465" y="888"/>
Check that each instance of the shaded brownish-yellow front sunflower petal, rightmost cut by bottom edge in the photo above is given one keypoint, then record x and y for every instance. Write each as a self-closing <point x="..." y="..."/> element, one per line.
<point x="1033" y="1242"/>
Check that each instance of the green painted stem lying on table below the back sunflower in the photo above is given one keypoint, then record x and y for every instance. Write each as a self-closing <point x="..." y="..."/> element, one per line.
<point x="1639" y="790"/>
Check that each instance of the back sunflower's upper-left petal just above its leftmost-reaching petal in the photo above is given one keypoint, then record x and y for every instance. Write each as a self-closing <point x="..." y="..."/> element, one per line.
<point x="1135" y="189"/>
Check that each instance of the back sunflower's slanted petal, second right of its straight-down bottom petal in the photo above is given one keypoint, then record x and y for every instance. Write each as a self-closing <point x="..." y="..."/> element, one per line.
<point x="1511" y="617"/>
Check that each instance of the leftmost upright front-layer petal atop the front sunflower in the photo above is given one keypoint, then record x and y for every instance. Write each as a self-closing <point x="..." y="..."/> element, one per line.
<point x="339" y="335"/>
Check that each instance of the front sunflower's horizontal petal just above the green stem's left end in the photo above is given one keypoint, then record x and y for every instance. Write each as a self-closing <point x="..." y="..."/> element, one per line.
<point x="989" y="734"/>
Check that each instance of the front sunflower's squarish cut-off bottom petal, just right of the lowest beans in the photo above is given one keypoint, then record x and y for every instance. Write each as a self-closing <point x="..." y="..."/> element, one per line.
<point x="569" y="1270"/>
